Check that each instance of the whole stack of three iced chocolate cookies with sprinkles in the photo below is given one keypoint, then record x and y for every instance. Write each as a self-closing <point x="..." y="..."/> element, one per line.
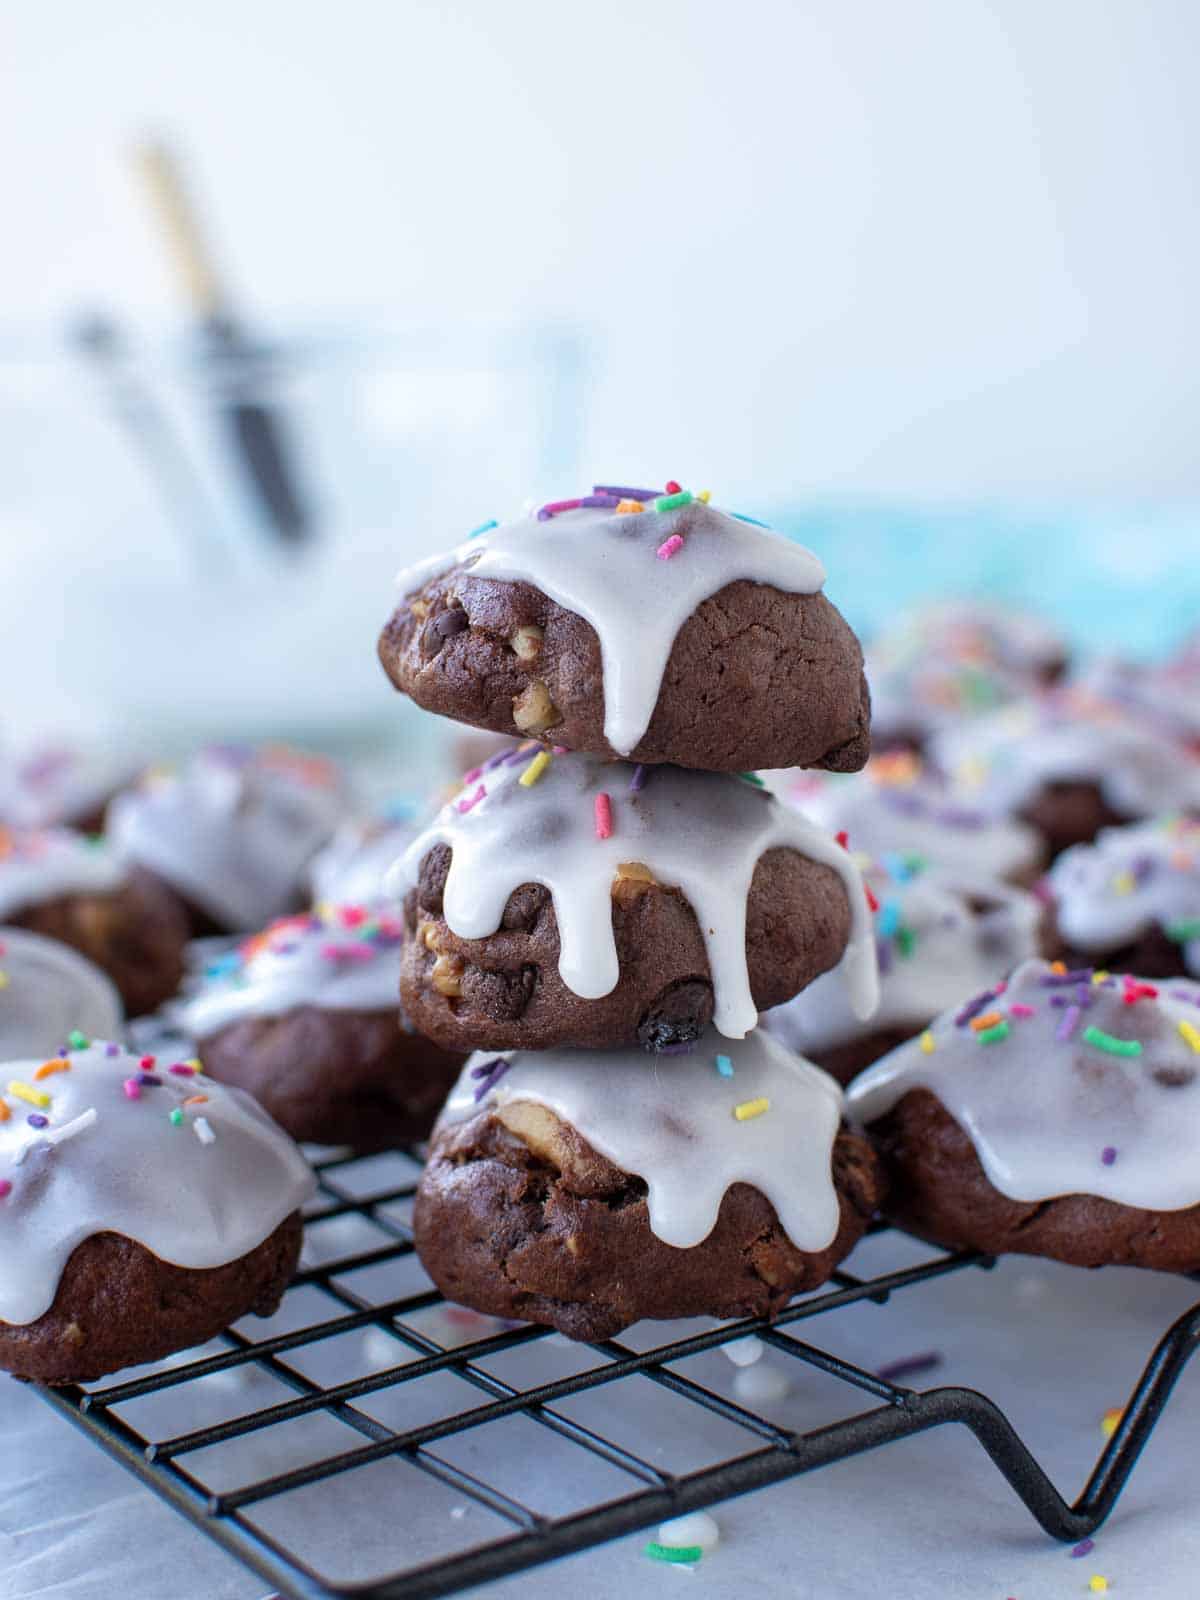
<point x="602" y="913"/>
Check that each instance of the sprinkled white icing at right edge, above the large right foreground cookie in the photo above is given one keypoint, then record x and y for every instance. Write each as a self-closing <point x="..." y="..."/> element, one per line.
<point x="1130" y="881"/>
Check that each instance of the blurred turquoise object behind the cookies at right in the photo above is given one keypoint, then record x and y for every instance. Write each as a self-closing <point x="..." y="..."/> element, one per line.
<point x="1122" y="580"/>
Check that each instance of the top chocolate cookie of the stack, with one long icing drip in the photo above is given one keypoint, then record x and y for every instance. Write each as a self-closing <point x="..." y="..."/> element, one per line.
<point x="678" y="636"/>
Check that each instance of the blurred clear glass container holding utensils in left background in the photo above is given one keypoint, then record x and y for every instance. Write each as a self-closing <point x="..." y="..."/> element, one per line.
<point x="150" y="596"/>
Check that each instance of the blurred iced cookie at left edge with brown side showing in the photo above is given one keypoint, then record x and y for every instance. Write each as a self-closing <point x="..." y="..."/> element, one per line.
<point x="76" y="890"/>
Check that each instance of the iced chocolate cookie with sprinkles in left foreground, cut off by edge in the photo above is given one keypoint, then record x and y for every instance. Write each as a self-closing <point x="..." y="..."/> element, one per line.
<point x="145" y="1209"/>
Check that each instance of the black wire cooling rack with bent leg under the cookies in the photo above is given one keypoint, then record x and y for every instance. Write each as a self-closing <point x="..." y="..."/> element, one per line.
<point x="353" y="1297"/>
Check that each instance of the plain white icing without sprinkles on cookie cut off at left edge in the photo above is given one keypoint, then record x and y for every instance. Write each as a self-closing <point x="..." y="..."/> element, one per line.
<point x="47" y="991"/>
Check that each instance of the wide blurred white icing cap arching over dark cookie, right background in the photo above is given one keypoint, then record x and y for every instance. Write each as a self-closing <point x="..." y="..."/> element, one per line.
<point x="1068" y="737"/>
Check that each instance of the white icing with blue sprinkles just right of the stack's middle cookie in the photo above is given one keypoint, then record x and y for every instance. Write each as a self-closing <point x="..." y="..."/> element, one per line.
<point x="940" y="935"/>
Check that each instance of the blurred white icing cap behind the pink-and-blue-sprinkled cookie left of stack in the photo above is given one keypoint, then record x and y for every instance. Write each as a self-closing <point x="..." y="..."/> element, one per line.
<point x="234" y="830"/>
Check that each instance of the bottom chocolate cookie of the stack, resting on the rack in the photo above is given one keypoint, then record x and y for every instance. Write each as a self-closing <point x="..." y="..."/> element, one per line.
<point x="718" y="1196"/>
